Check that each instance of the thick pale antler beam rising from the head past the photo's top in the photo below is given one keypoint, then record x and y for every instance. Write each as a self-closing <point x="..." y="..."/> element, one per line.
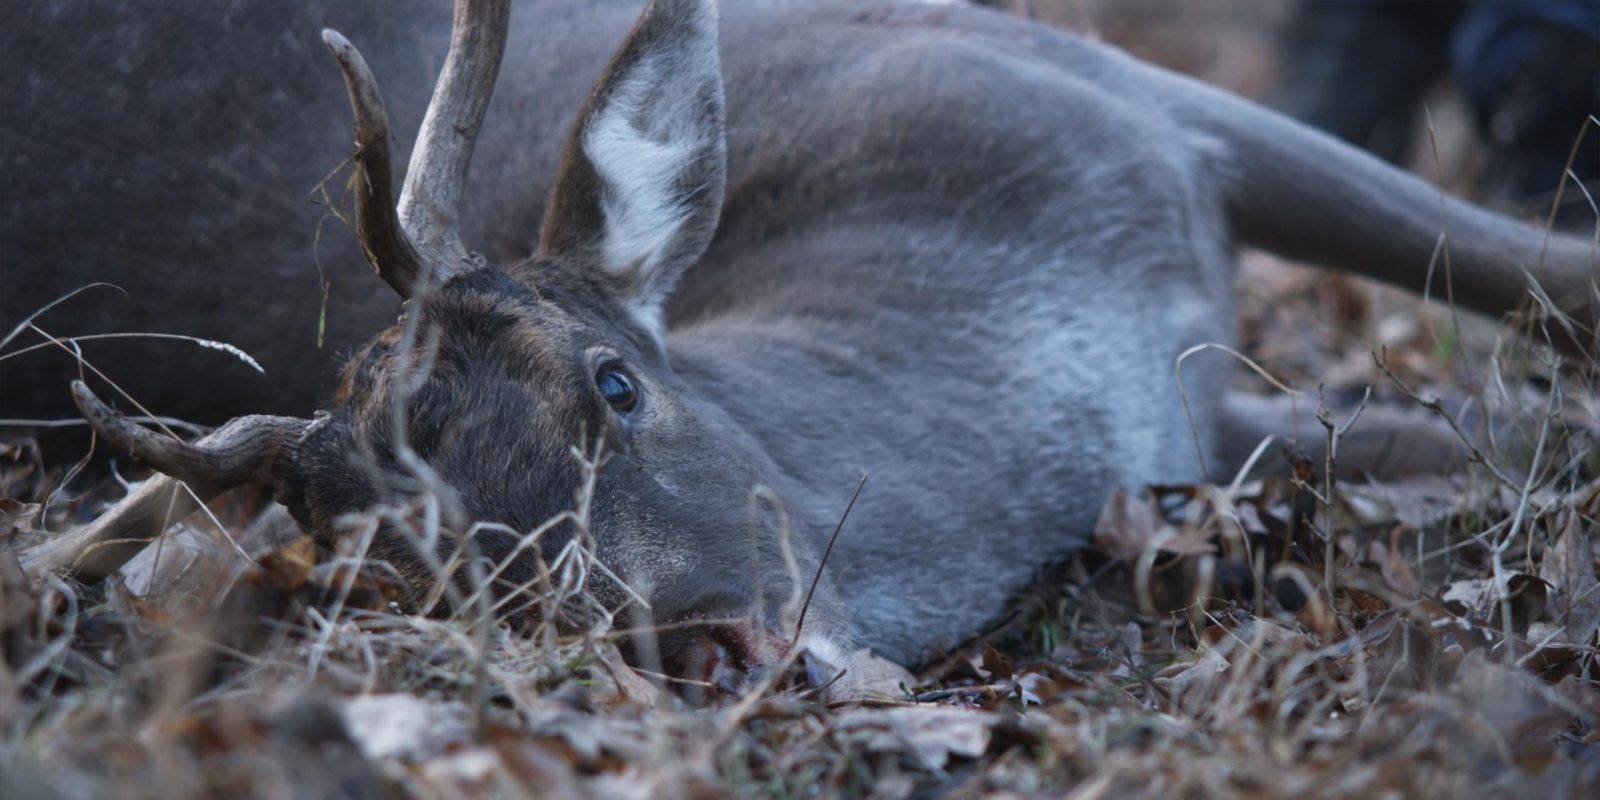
<point x="431" y="199"/>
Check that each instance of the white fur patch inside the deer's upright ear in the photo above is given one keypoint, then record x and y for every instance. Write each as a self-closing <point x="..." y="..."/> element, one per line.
<point x="642" y="142"/>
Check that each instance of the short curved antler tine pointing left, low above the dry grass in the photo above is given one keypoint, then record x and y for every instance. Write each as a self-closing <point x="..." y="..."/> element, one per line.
<point x="247" y="450"/>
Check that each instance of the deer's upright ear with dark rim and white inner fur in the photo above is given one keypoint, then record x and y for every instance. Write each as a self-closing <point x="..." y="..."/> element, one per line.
<point x="641" y="183"/>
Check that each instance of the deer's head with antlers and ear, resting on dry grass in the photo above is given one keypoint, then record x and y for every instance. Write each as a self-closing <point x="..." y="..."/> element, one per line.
<point x="534" y="409"/>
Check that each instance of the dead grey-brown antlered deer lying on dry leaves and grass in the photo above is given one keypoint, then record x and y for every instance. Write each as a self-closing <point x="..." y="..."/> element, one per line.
<point x="783" y="249"/>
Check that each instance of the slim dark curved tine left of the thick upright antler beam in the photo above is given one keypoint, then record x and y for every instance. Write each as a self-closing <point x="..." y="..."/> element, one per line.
<point x="385" y="242"/>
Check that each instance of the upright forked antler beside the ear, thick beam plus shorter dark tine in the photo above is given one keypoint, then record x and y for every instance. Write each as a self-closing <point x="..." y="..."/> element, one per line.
<point x="420" y="241"/>
